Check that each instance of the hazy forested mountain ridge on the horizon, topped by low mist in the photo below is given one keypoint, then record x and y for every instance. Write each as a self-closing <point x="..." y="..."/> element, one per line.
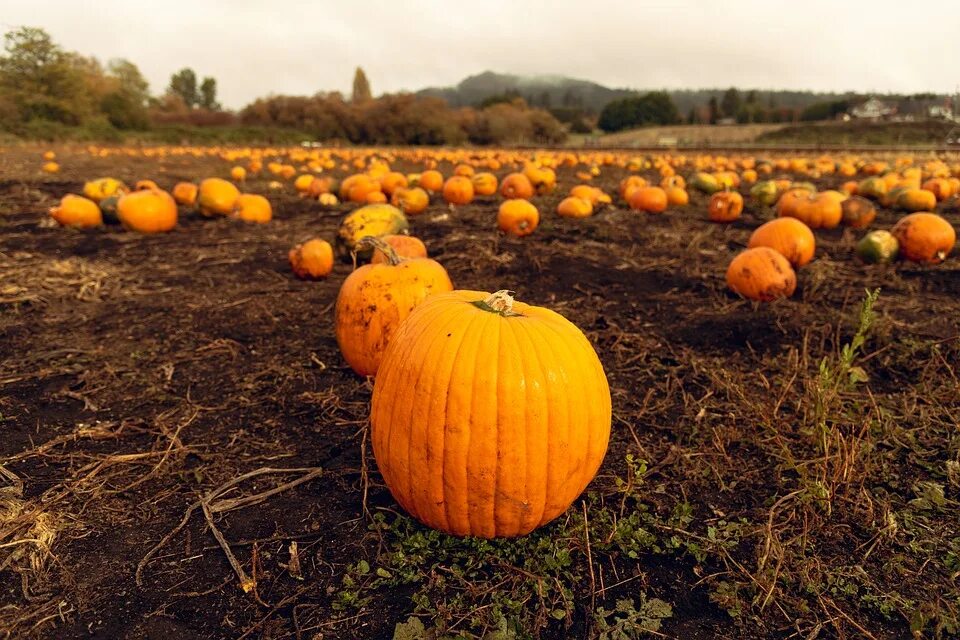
<point x="554" y="92"/>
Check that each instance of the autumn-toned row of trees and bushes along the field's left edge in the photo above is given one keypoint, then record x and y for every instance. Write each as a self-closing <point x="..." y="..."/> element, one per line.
<point x="43" y="86"/>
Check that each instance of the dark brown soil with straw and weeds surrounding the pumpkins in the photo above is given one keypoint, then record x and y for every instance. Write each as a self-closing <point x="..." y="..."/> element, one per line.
<point x="140" y="373"/>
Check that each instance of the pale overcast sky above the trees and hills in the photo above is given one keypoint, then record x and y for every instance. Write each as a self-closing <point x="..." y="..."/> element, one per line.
<point x="254" y="48"/>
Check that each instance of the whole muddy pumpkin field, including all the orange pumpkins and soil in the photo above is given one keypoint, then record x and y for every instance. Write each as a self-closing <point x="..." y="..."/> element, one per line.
<point x="574" y="394"/>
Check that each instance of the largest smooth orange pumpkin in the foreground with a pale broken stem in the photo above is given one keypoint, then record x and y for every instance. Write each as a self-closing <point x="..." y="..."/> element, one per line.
<point x="473" y="423"/>
